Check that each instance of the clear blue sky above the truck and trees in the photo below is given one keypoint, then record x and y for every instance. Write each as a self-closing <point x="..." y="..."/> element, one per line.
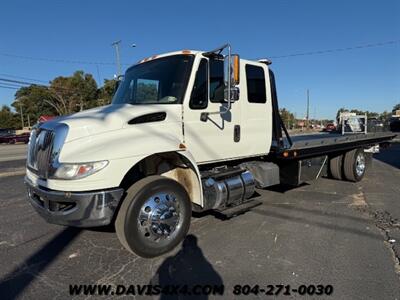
<point x="365" y="78"/>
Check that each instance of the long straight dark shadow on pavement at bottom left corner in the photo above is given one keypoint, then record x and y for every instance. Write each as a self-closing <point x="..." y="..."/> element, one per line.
<point x="15" y="282"/>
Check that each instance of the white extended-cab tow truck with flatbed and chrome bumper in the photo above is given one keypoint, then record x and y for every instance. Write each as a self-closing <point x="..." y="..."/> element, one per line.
<point x="186" y="131"/>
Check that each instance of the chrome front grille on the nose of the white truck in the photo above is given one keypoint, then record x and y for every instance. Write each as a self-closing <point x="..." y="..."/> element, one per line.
<point x="40" y="151"/>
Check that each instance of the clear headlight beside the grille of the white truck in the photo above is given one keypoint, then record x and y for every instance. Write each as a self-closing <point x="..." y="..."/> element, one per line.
<point x="77" y="171"/>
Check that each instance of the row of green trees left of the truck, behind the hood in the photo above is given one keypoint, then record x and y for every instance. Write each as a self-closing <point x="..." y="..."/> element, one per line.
<point x="64" y="95"/>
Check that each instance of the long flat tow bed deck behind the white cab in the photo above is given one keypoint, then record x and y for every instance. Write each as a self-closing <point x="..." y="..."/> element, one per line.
<point x="324" y="143"/>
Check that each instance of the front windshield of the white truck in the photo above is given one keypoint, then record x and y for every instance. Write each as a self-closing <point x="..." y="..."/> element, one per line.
<point x="159" y="81"/>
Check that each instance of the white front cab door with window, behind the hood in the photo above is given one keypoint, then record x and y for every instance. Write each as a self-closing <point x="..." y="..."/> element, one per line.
<point x="218" y="136"/>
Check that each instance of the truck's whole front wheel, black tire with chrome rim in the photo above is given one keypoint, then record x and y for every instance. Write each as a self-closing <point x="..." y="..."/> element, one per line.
<point x="141" y="231"/>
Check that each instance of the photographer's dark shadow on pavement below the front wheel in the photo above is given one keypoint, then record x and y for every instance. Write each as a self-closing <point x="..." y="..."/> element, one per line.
<point x="188" y="267"/>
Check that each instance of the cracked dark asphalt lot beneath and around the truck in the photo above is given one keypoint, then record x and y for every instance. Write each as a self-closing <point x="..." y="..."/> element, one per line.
<point x="327" y="232"/>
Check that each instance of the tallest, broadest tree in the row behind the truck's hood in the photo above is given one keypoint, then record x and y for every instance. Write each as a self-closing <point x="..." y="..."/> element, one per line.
<point x="74" y="93"/>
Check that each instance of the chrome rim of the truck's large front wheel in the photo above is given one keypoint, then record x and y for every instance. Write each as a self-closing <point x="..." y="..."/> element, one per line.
<point x="159" y="217"/>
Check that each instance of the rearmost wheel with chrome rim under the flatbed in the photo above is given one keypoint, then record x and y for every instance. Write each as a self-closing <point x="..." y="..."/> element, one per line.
<point x="355" y="165"/>
